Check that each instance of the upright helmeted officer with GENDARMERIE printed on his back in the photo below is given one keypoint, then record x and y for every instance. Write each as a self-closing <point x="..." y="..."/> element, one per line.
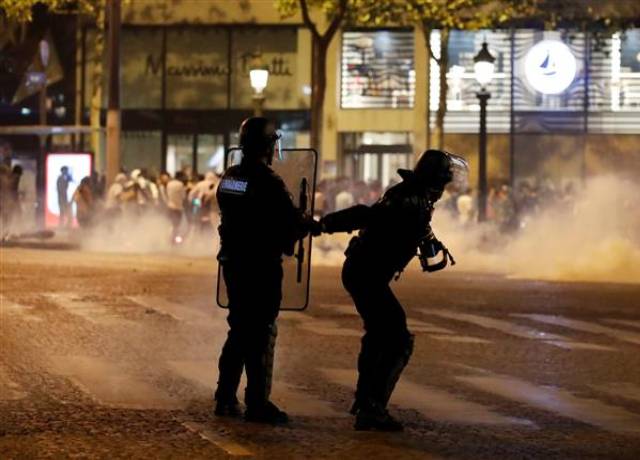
<point x="259" y="223"/>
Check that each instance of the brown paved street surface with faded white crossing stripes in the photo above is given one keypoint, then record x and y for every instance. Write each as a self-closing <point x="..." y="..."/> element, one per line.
<point x="114" y="356"/>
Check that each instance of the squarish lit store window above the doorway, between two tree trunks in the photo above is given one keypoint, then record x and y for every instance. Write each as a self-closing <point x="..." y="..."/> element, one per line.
<point x="377" y="69"/>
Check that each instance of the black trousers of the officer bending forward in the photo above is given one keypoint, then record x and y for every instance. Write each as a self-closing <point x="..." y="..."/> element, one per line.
<point x="387" y="343"/>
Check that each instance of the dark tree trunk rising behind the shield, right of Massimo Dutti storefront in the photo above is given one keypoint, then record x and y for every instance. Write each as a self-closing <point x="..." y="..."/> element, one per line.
<point x="319" y="84"/>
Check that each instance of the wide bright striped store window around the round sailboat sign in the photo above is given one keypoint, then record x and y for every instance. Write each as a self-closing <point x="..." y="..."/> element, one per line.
<point x="550" y="71"/>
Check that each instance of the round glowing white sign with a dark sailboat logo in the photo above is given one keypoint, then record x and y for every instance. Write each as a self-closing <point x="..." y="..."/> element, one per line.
<point x="550" y="67"/>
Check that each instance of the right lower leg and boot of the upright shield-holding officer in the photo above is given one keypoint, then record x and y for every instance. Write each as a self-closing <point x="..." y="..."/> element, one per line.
<point x="259" y="367"/>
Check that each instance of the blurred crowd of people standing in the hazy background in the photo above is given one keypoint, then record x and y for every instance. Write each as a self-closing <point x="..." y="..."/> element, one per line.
<point x="187" y="201"/>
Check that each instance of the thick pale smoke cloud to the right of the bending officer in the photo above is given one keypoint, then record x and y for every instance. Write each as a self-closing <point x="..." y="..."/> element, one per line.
<point x="594" y="238"/>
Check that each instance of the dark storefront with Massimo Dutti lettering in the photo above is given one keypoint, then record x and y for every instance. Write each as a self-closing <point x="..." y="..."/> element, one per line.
<point x="185" y="90"/>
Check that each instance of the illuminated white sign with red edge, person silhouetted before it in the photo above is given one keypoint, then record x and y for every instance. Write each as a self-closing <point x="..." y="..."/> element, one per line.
<point x="60" y="184"/>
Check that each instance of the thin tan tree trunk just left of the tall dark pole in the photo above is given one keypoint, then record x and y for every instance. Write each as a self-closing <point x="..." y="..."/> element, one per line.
<point x="96" y="88"/>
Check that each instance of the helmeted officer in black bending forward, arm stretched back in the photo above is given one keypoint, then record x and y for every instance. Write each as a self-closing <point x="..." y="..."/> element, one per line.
<point x="391" y="232"/>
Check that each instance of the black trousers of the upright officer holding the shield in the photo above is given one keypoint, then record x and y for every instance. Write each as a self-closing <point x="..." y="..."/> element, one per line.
<point x="255" y="292"/>
